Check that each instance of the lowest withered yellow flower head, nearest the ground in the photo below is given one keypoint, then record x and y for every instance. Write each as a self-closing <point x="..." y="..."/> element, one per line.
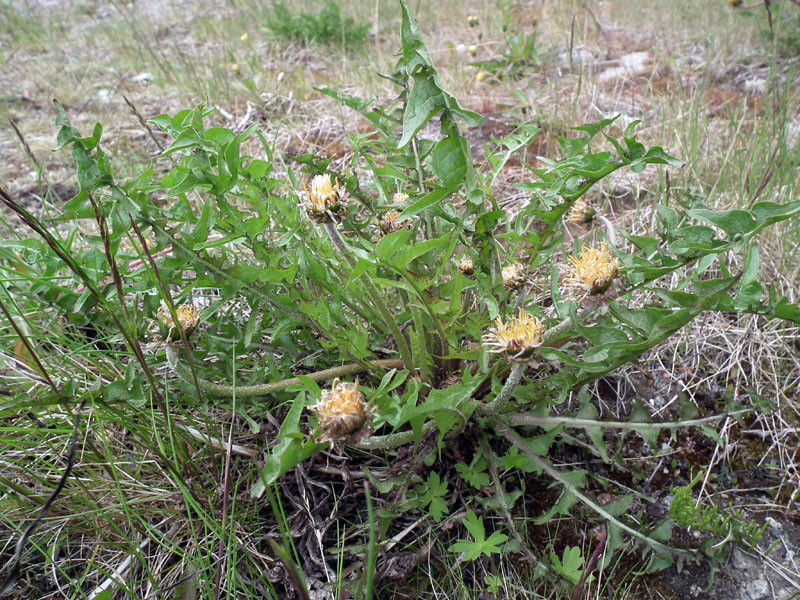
<point x="343" y="413"/>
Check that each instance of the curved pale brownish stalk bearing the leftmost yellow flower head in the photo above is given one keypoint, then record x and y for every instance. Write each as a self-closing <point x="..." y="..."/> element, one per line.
<point x="265" y="389"/>
